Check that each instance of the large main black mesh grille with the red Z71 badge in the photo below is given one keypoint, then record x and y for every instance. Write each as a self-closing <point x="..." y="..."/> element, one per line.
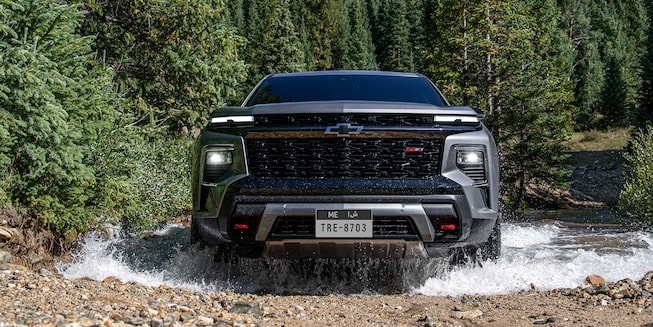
<point x="344" y="158"/>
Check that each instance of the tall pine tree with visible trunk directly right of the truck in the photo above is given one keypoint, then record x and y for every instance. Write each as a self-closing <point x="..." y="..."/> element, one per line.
<point x="532" y="116"/>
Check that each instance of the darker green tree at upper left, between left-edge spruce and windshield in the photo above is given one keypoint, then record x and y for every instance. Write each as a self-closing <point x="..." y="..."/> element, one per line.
<point x="175" y="61"/>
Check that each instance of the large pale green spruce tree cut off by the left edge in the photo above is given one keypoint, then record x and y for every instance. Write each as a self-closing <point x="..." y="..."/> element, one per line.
<point x="54" y="101"/>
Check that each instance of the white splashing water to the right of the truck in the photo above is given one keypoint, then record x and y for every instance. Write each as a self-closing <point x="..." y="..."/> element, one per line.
<point x="546" y="257"/>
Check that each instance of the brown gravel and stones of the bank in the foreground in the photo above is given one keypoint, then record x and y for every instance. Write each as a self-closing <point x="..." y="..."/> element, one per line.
<point x="45" y="298"/>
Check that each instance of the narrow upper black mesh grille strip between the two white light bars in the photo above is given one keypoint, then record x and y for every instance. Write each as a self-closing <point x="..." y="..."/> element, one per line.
<point x="265" y="121"/>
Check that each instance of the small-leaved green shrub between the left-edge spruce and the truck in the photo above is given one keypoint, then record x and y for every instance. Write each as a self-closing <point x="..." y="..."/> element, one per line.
<point x="143" y="177"/>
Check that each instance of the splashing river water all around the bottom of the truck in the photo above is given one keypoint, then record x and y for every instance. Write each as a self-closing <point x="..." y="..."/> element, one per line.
<point x="556" y="250"/>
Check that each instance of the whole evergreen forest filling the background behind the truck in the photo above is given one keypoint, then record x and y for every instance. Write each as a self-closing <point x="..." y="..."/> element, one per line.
<point x="100" y="99"/>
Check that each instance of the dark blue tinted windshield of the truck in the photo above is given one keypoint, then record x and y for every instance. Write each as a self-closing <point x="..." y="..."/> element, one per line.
<point x="298" y="88"/>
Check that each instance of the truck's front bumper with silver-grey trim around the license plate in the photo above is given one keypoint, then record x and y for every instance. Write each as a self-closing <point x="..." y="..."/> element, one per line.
<point x="261" y="204"/>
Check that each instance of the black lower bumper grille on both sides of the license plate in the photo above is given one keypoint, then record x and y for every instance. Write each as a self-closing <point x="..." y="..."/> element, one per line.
<point x="304" y="227"/>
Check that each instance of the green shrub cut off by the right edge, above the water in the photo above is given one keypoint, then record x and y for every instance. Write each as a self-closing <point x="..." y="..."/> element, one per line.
<point x="636" y="198"/>
